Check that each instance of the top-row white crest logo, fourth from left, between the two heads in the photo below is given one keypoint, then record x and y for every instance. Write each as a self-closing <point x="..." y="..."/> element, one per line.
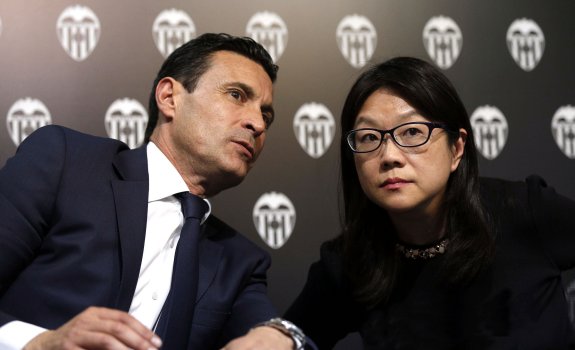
<point x="357" y="39"/>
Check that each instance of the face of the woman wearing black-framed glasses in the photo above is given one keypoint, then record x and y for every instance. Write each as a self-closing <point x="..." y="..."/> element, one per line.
<point x="404" y="180"/>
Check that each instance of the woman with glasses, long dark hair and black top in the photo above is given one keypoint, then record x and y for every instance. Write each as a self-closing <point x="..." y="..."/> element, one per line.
<point x="431" y="257"/>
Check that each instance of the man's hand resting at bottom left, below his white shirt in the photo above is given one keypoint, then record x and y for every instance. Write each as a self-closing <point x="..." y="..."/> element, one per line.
<point x="98" y="328"/>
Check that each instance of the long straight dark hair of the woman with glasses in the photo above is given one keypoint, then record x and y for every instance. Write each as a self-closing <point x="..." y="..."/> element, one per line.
<point x="368" y="238"/>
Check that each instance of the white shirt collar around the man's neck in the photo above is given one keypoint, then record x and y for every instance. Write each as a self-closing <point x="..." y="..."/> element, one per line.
<point x="165" y="180"/>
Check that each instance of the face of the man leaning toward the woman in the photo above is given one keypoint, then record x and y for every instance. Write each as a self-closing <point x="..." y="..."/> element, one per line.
<point x="219" y="129"/>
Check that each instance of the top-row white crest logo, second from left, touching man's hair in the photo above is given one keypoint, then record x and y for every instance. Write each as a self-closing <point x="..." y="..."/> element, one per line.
<point x="172" y="28"/>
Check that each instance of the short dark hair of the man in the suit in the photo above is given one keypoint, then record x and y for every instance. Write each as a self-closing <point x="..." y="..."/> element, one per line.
<point x="191" y="60"/>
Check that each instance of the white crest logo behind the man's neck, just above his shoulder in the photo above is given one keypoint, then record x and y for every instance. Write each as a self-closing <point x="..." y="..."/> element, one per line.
<point x="126" y="120"/>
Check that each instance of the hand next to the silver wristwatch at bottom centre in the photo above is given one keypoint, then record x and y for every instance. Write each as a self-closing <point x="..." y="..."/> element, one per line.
<point x="261" y="338"/>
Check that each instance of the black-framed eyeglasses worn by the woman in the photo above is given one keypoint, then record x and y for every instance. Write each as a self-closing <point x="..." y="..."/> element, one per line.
<point x="405" y="135"/>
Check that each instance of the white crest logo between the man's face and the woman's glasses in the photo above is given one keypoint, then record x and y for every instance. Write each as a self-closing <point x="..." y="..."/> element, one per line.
<point x="314" y="127"/>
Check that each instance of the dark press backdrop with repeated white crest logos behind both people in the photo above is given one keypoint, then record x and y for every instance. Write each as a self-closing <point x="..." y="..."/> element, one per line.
<point x="89" y="65"/>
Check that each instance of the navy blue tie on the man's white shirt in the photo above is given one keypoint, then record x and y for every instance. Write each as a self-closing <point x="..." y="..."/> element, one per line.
<point x="176" y="317"/>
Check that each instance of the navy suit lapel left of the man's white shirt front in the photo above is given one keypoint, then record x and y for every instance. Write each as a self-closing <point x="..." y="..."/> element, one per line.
<point x="131" y="200"/>
